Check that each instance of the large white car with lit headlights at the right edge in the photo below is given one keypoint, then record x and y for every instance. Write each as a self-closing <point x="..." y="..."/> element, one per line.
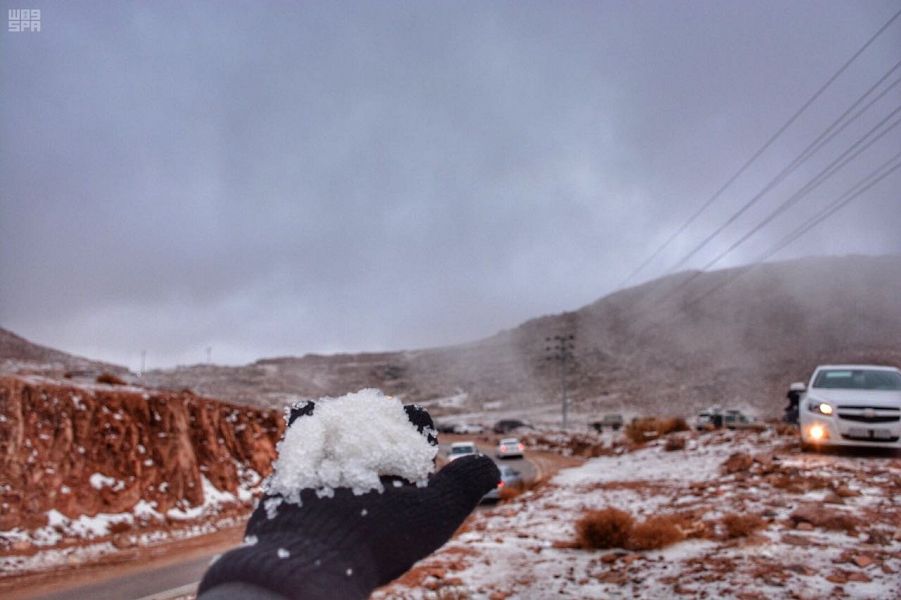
<point x="851" y="405"/>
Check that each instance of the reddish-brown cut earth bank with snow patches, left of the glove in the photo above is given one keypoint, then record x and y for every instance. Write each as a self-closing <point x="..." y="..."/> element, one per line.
<point x="69" y="451"/>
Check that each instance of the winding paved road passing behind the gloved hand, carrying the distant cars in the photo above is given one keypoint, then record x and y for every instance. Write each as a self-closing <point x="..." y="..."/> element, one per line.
<point x="180" y="577"/>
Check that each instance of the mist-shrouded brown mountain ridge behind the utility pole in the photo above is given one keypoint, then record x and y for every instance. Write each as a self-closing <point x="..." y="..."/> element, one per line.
<point x="735" y="337"/>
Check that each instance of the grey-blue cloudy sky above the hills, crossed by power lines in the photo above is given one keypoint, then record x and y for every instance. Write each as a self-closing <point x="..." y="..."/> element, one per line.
<point x="271" y="178"/>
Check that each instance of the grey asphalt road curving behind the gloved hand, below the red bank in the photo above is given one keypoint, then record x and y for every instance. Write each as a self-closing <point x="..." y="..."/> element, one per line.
<point x="175" y="580"/>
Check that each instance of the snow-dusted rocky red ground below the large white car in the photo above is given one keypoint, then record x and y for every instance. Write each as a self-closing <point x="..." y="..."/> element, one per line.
<point x="831" y="526"/>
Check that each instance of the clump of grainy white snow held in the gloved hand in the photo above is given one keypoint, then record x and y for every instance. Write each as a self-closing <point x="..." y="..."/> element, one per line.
<point x="350" y="442"/>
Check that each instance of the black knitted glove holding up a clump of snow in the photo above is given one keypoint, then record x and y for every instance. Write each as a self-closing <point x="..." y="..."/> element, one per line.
<point x="347" y="545"/>
